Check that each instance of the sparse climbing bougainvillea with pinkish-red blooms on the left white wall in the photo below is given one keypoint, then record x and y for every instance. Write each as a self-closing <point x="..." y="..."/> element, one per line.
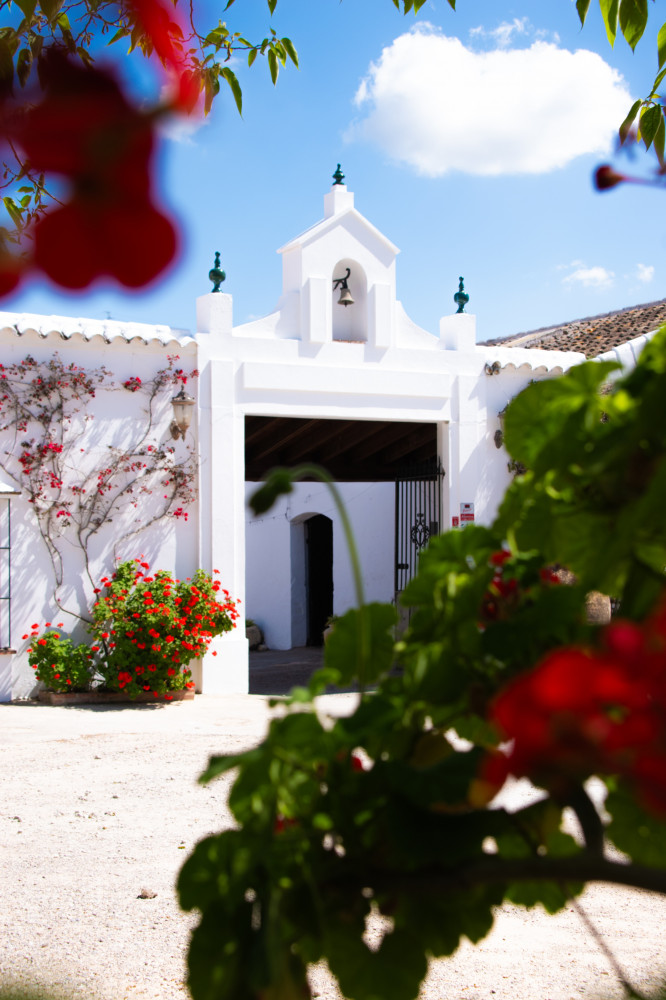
<point x="75" y="483"/>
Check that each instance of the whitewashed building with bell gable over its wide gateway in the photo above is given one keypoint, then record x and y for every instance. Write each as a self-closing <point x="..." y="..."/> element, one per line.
<point x="405" y="419"/>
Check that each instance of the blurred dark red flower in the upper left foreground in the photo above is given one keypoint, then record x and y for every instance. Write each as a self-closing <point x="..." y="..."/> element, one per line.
<point x="84" y="129"/>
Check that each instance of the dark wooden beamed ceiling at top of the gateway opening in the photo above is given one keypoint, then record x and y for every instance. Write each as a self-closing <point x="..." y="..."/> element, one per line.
<point x="351" y="450"/>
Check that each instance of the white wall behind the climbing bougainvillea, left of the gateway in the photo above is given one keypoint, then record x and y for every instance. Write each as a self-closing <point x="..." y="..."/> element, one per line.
<point x="116" y="416"/>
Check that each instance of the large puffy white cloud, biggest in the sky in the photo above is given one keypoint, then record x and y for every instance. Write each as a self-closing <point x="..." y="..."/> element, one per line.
<point x="436" y="105"/>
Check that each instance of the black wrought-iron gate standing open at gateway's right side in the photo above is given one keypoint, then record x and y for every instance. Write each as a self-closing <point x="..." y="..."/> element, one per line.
<point x="418" y="514"/>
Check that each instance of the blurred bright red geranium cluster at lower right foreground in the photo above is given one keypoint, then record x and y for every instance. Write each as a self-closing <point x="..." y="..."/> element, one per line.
<point x="583" y="712"/>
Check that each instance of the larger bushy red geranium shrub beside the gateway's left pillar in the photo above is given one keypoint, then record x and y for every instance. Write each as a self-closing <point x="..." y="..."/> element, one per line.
<point x="147" y="627"/>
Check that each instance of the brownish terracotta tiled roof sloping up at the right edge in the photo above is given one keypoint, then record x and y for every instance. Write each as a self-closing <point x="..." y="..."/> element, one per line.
<point x="594" y="335"/>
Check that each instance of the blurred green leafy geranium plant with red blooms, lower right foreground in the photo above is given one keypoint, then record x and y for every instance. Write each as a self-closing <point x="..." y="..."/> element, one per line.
<point x="386" y="811"/>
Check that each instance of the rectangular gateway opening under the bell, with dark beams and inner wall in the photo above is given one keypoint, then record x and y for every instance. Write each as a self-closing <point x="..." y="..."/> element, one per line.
<point x="298" y="568"/>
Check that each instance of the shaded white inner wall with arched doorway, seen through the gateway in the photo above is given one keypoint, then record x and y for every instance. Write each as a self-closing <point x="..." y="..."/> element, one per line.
<point x="275" y="556"/>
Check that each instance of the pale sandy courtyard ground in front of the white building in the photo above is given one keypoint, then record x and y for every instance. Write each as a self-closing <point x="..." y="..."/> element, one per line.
<point x="101" y="803"/>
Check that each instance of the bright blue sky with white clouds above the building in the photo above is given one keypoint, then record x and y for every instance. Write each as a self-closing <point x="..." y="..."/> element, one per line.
<point x="468" y="138"/>
